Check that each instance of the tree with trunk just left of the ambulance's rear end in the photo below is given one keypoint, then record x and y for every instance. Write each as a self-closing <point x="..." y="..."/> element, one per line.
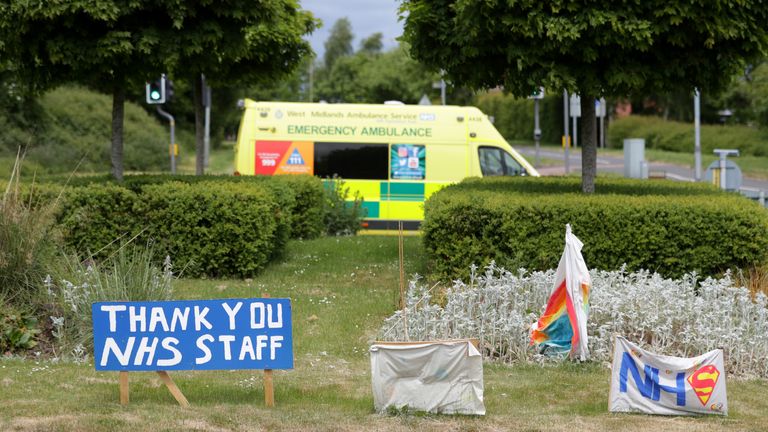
<point x="235" y="42"/>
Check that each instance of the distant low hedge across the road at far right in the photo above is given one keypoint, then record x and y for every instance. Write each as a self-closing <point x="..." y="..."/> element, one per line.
<point x="679" y="137"/>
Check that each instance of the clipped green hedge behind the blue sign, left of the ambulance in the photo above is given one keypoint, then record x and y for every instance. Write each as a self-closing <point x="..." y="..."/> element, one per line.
<point x="223" y="226"/>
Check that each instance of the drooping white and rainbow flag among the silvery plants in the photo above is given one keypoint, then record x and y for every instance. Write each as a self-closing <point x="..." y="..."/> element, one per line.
<point x="562" y="328"/>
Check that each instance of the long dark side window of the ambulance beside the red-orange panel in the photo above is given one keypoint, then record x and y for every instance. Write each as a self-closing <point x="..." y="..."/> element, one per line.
<point x="352" y="161"/>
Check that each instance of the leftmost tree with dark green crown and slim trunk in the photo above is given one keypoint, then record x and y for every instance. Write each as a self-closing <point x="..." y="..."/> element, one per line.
<point x="102" y="44"/>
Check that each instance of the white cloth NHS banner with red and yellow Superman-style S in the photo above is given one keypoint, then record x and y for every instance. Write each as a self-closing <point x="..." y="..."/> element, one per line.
<point x="655" y="384"/>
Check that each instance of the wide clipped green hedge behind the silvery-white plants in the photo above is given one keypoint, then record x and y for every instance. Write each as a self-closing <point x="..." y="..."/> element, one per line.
<point x="671" y="228"/>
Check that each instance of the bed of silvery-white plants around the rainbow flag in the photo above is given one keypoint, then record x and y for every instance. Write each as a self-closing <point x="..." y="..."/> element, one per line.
<point x="680" y="317"/>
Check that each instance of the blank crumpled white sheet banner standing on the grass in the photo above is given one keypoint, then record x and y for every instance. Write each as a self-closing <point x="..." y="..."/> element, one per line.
<point x="436" y="377"/>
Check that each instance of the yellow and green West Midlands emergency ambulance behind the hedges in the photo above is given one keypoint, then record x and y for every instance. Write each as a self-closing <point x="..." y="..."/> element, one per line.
<point x="395" y="156"/>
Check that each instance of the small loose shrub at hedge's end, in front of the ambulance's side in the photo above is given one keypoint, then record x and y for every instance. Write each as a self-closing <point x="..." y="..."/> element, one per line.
<point x="341" y="217"/>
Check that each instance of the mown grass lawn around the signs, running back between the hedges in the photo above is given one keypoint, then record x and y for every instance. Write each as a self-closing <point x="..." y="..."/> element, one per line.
<point x="341" y="289"/>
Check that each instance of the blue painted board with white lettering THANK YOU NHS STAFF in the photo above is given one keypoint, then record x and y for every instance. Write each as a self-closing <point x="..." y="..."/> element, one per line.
<point x="193" y="335"/>
